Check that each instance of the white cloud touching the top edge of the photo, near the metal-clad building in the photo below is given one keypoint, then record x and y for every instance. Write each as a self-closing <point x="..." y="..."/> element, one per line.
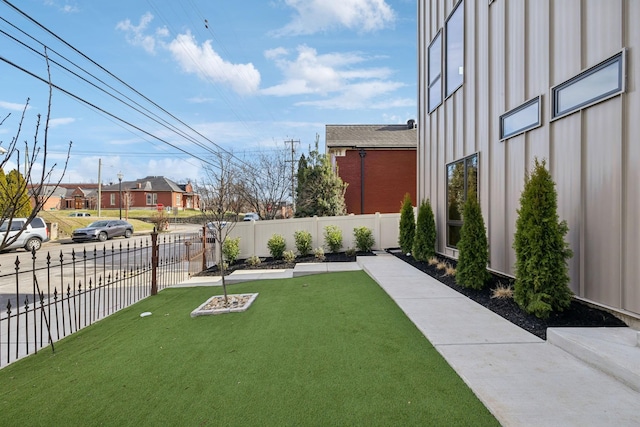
<point x="313" y="16"/>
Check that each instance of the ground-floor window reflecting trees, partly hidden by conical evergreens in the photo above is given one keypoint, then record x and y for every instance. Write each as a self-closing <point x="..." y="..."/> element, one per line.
<point x="462" y="182"/>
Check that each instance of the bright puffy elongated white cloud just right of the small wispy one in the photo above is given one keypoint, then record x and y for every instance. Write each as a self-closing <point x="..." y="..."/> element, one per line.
<point x="207" y="64"/>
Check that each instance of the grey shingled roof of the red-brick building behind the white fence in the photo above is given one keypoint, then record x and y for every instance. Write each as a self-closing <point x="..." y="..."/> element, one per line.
<point x="372" y="136"/>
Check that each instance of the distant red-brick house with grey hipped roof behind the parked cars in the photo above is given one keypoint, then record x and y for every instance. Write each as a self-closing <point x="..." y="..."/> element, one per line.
<point x="152" y="192"/>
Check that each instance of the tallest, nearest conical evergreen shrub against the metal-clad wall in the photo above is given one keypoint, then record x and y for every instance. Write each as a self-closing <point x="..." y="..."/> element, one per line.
<point x="542" y="277"/>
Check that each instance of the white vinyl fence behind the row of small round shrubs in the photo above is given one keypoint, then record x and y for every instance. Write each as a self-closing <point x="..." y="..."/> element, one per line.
<point x="254" y="235"/>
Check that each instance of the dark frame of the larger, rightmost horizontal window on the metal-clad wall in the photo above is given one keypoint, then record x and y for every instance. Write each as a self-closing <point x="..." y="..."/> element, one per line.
<point x="619" y="57"/>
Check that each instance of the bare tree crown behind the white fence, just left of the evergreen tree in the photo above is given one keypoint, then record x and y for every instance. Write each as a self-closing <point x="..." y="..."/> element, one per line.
<point x="265" y="183"/>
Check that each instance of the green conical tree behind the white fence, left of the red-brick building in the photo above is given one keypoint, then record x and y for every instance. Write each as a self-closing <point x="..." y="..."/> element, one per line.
<point x="320" y="191"/>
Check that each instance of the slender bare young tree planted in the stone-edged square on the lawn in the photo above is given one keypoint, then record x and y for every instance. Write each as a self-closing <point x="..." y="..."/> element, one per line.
<point x="218" y="192"/>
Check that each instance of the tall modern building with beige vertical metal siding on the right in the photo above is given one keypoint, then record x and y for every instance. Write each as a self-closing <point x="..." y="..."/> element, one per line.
<point x="504" y="82"/>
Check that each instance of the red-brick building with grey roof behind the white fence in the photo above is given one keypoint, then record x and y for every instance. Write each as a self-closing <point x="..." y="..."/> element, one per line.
<point x="378" y="162"/>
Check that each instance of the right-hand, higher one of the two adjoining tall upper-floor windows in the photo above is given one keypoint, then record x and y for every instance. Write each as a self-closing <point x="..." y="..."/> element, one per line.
<point x="454" y="49"/>
